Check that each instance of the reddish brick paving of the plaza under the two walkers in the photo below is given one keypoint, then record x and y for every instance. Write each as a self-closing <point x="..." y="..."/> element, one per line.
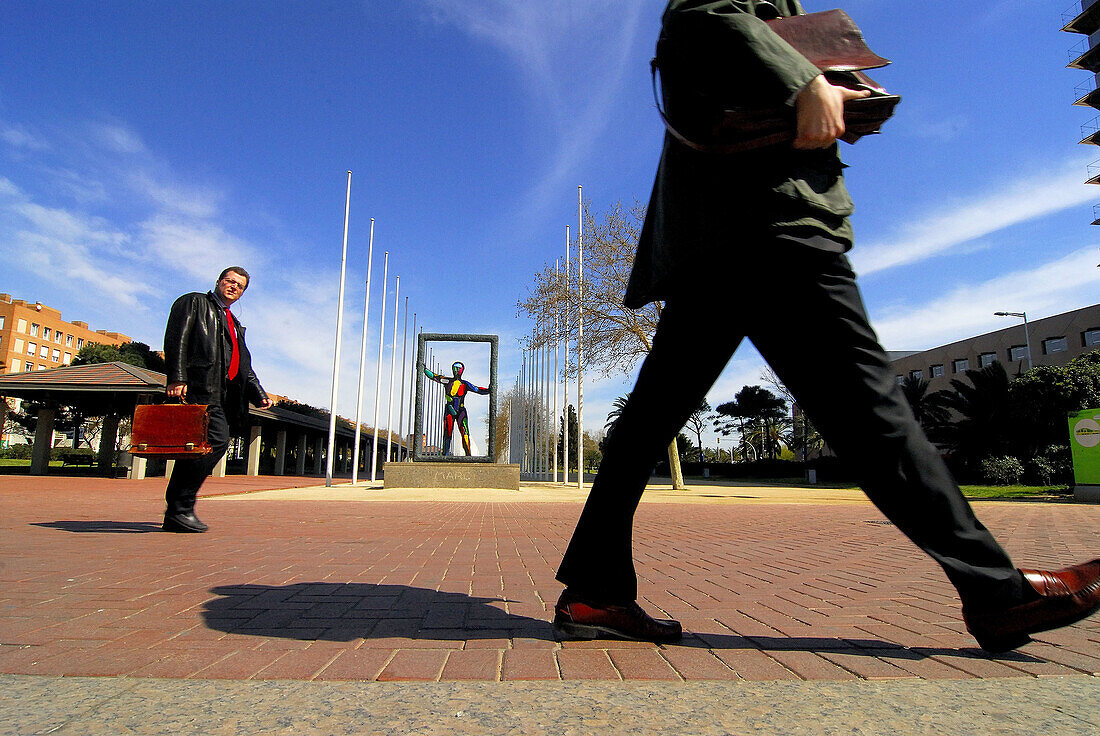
<point x="446" y="591"/>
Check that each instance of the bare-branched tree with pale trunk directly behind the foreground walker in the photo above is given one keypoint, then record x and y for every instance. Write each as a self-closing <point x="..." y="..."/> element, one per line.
<point x="615" y="337"/>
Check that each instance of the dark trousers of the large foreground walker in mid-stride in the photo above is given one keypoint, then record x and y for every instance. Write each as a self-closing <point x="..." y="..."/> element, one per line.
<point x="804" y="312"/>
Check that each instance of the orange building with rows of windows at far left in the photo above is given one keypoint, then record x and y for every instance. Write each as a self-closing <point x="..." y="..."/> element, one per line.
<point x="34" y="337"/>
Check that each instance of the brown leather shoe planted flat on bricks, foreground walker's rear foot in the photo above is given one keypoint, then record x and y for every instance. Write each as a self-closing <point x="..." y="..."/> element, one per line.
<point x="577" y="619"/>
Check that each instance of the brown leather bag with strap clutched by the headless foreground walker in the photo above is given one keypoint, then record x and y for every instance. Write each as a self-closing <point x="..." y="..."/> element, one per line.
<point x="833" y="43"/>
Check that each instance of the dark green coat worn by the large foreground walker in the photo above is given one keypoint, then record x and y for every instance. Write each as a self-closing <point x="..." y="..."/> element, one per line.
<point x="708" y="211"/>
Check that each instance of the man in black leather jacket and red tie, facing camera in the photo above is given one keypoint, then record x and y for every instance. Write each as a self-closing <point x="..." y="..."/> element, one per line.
<point x="207" y="362"/>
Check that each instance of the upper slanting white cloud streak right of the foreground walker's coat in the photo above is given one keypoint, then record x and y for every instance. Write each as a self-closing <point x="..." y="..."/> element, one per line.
<point x="956" y="224"/>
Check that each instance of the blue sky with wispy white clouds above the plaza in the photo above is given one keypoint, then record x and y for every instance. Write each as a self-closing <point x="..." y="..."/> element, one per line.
<point x="145" y="146"/>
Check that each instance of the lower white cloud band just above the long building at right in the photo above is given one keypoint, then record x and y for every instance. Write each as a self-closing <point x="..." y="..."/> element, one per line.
<point x="1050" y="289"/>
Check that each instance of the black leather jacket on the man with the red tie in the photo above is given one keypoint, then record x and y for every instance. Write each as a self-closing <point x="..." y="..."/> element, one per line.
<point x="197" y="349"/>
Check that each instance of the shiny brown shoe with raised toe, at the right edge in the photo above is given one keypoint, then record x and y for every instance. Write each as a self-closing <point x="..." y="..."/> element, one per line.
<point x="1061" y="599"/>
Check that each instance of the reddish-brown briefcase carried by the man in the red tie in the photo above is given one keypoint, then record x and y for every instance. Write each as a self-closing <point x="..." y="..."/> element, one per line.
<point x="173" y="432"/>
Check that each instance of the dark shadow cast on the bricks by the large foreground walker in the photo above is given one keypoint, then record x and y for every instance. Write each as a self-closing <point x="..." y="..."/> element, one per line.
<point x="343" y="612"/>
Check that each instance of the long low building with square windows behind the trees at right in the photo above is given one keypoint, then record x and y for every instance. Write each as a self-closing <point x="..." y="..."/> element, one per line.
<point x="1052" y="342"/>
